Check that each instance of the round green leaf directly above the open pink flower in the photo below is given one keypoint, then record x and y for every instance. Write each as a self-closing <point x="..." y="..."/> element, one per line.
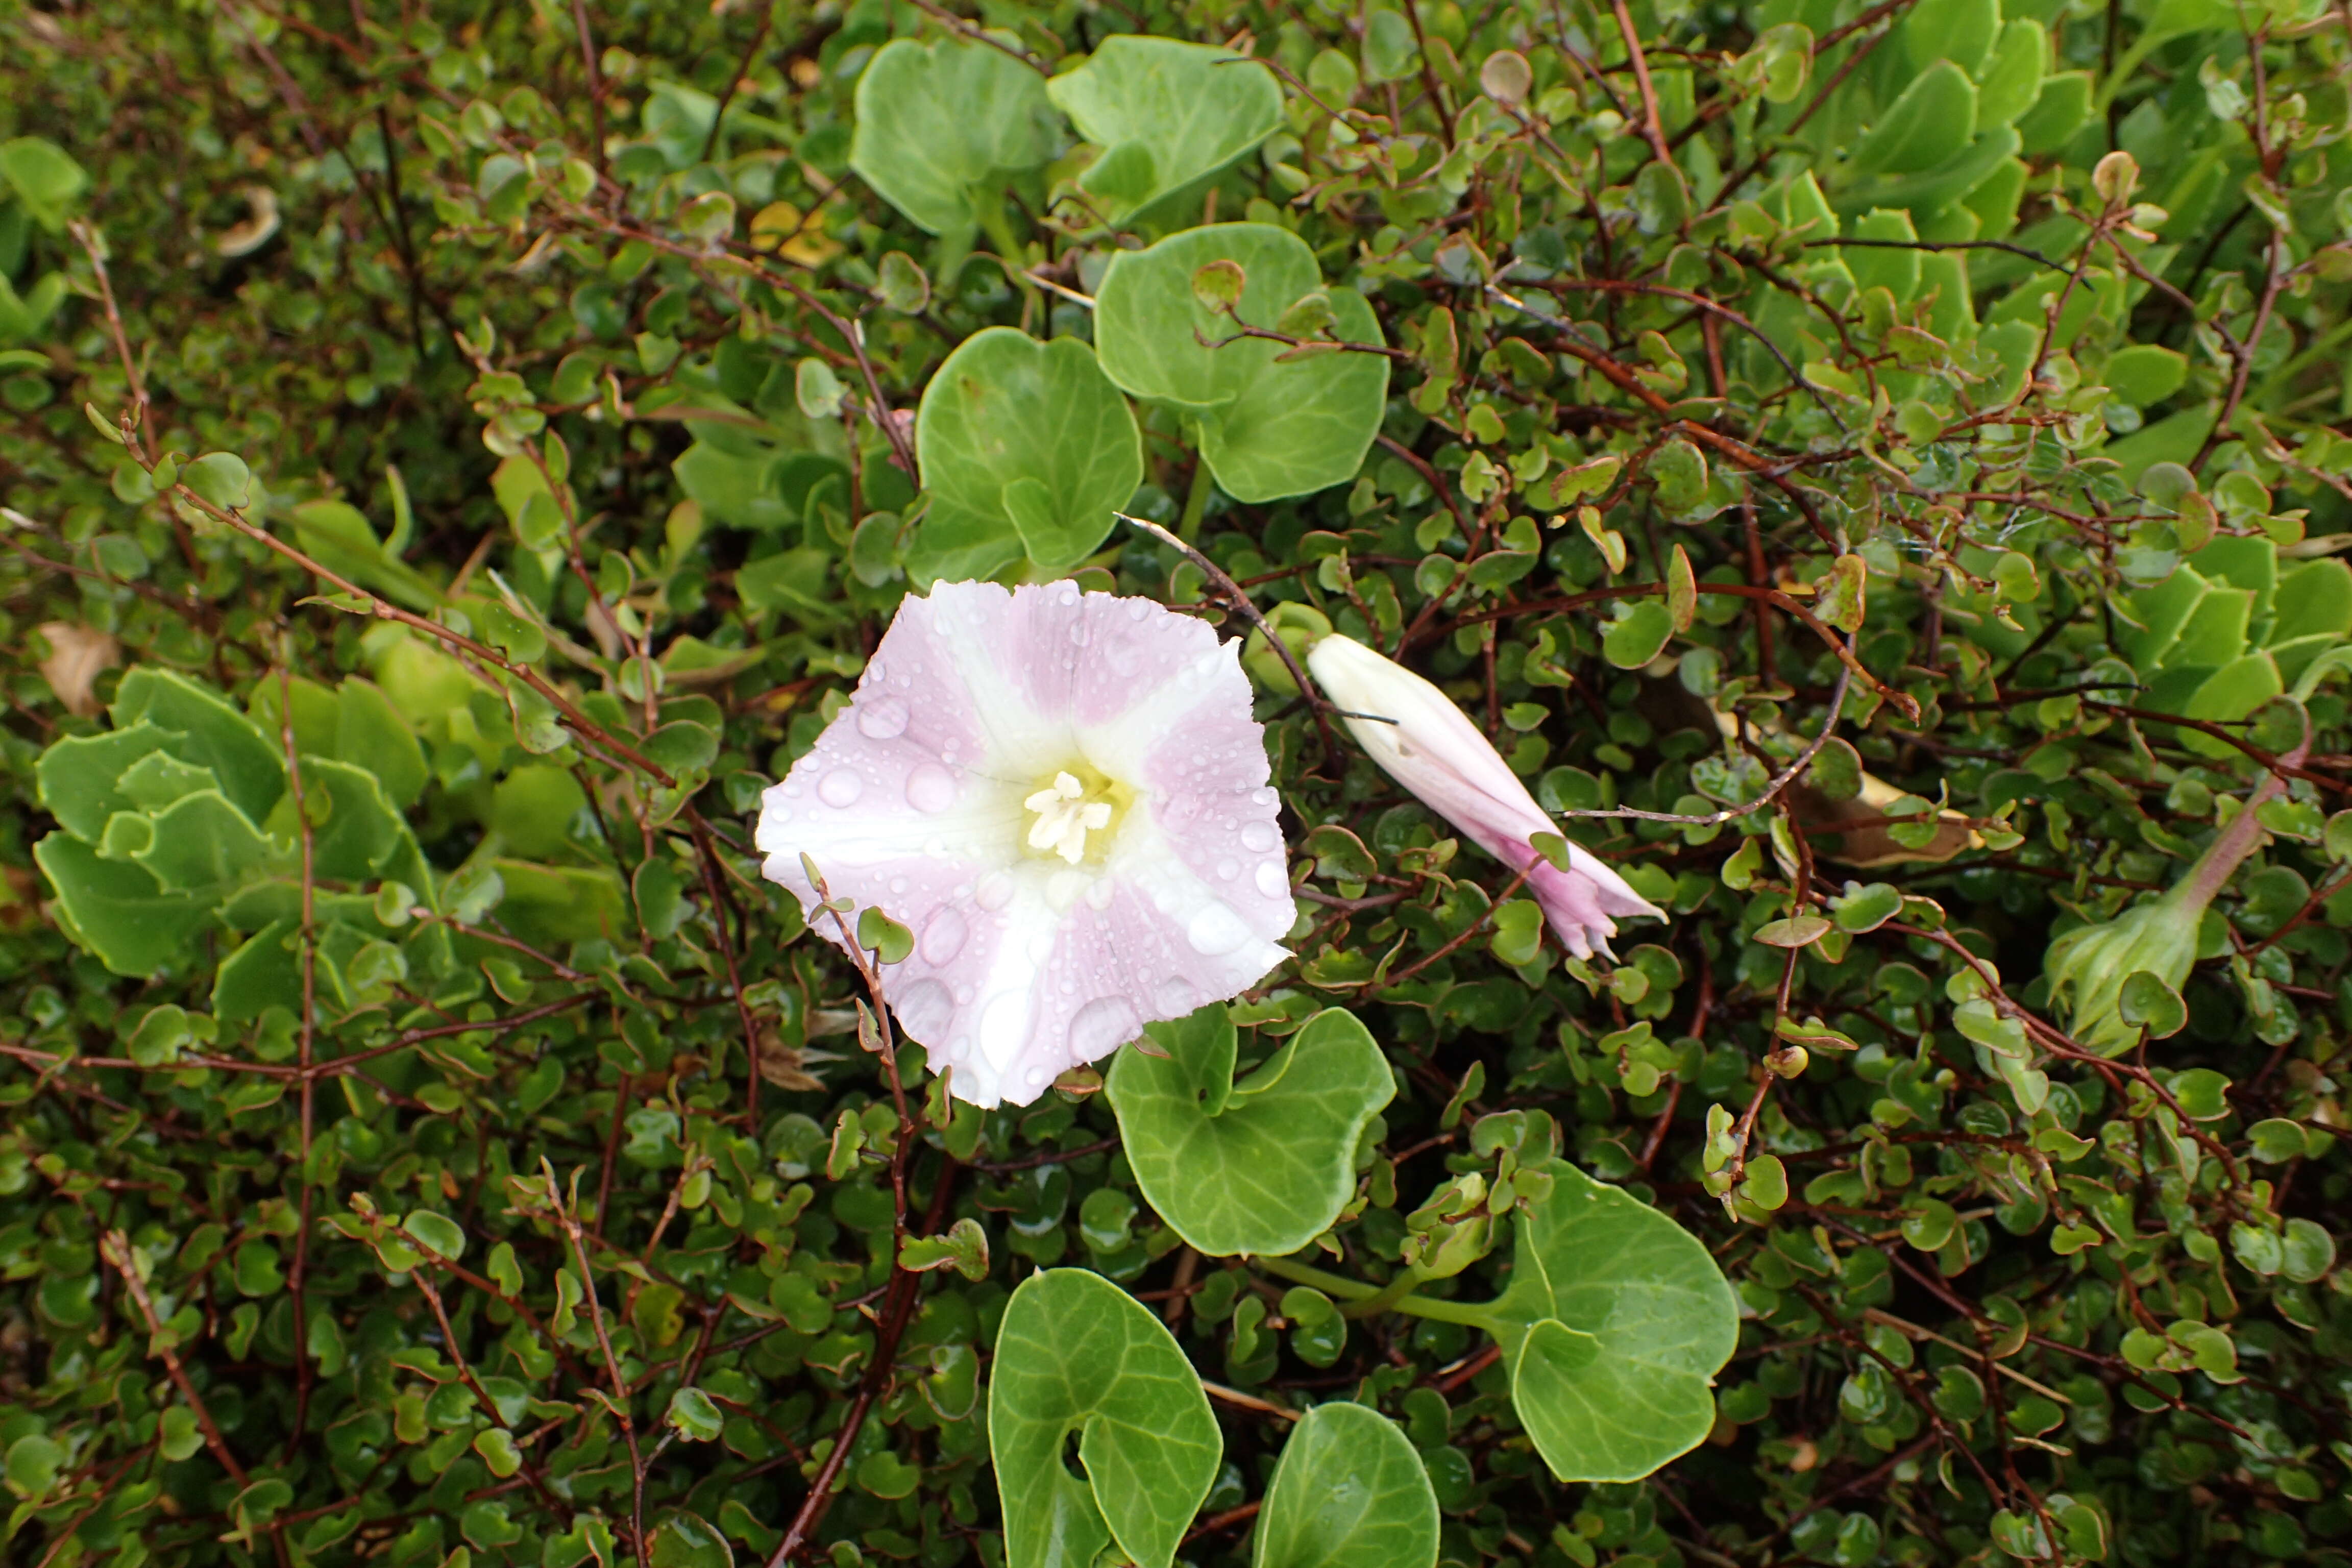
<point x="1031" y="441"/>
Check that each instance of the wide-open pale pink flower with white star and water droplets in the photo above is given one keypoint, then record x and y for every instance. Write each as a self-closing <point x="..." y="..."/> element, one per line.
<point x="1067" y="800"/>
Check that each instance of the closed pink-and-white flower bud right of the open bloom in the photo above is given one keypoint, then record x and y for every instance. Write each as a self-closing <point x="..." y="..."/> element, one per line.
<point x="1431" y="746"/>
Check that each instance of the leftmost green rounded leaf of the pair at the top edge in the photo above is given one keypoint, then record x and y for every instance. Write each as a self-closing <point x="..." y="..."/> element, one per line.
<point x="942" y="121"/>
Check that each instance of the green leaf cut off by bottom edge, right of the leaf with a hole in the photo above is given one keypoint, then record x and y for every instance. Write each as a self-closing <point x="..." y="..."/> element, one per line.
<point x="1349" y="1494"/>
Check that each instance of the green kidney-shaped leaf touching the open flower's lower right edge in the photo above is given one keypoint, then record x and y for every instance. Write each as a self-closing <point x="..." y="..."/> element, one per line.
<point x="1257" y="1167"/>
